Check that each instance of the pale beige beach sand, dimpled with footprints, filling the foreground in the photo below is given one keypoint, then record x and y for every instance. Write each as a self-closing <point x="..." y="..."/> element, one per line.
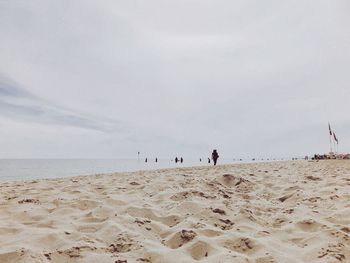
<point x="269" y="212"/>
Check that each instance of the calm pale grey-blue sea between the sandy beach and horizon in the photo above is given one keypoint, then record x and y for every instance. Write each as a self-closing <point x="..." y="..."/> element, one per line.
<point x="23" y="169"/>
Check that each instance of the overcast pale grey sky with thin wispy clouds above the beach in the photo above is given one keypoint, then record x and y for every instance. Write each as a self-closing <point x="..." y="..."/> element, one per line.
<point x="108" y="79"/>
